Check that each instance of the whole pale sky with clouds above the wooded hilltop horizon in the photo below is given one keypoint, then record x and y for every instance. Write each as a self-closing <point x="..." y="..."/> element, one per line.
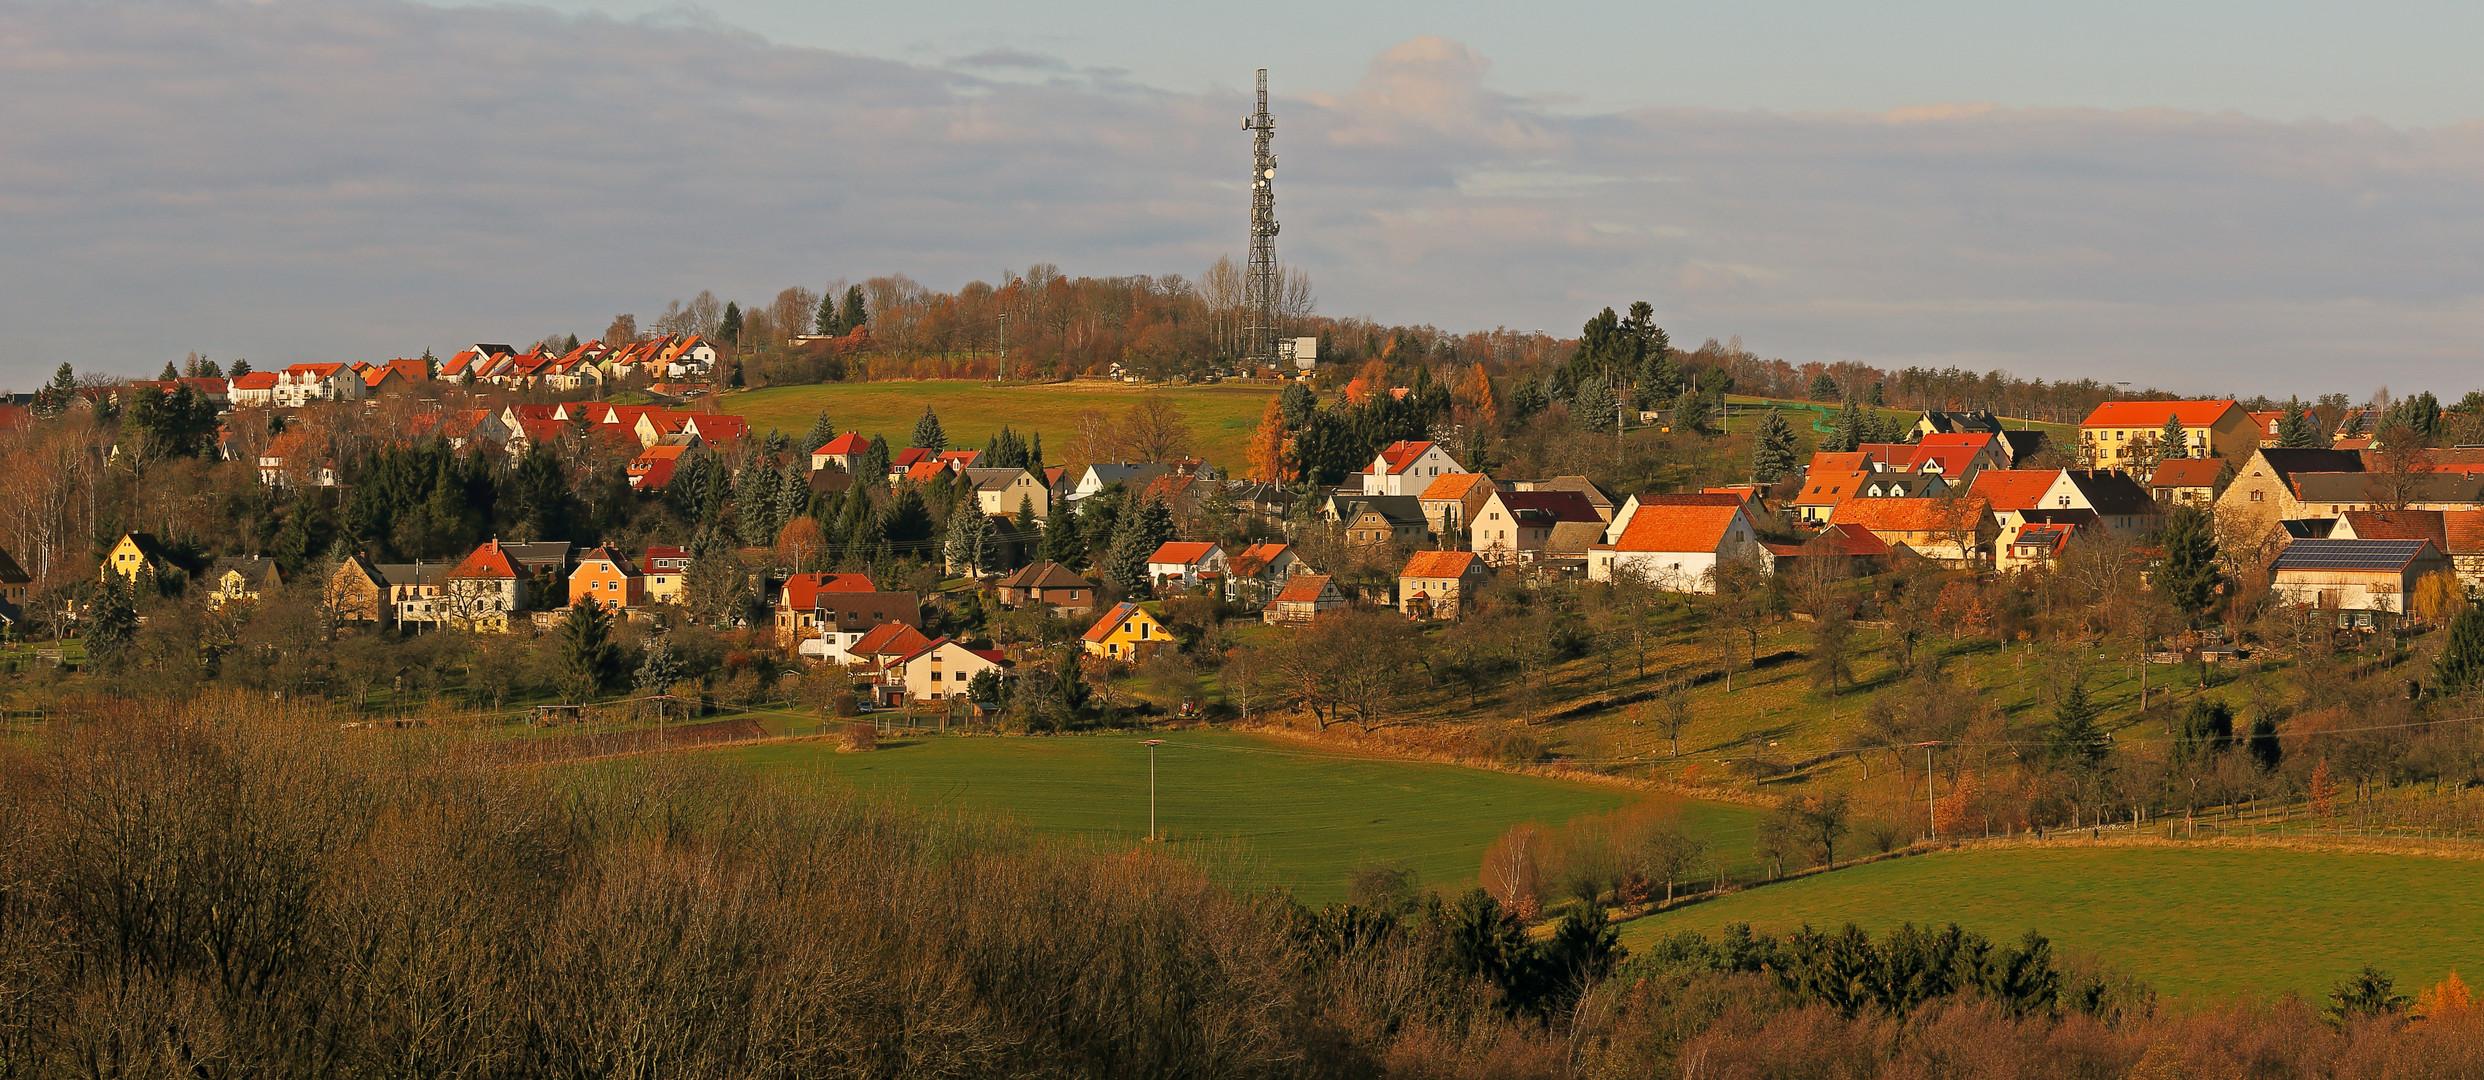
<point x="2197" y="197"/>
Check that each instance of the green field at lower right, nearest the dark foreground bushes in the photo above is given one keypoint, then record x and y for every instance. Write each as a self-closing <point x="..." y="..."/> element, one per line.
<point x="2227" y="920"/>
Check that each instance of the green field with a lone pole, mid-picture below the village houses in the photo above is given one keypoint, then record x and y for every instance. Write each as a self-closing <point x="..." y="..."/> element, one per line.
<point x="1303" y="818"/>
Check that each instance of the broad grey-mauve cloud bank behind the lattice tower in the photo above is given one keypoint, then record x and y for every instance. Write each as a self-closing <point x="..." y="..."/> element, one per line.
<point x="361" y="180"/>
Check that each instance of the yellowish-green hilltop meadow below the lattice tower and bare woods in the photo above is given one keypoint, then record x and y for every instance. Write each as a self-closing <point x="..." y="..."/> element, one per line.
<point x="1221" y="416"/>
